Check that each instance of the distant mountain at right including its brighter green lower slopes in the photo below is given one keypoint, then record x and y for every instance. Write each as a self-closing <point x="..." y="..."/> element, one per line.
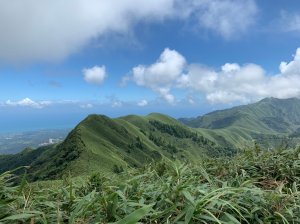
<point x="270" y="122"/>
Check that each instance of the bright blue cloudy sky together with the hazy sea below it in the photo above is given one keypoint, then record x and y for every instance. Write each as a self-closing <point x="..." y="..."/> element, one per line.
<point x="62" y="60"/>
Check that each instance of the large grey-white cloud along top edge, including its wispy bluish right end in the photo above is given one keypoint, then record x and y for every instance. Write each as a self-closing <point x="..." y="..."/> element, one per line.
<point x="51" y="30"/>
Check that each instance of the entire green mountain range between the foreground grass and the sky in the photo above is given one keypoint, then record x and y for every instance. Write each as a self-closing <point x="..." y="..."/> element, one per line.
<point x="100" y="143"/>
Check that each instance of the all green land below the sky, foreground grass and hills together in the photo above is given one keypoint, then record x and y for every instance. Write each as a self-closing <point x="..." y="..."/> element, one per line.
<point x="238" y="166"/>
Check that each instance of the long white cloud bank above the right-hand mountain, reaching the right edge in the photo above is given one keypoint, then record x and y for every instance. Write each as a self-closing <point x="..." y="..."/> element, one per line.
<point x="244" y="83"/>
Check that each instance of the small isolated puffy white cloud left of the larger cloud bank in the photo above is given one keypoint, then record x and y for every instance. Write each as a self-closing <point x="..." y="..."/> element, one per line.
<point x="95" y="75"/>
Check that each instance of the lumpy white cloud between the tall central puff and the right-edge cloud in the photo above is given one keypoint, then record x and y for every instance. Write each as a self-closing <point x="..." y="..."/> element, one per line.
<point x="232" y="83"/>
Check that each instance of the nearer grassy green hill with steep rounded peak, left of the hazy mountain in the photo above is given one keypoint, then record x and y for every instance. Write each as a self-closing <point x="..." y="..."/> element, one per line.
<point x="100" y="143"/>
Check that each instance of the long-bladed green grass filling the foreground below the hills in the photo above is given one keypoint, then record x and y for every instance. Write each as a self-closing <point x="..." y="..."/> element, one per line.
<point x="253" y="187"/>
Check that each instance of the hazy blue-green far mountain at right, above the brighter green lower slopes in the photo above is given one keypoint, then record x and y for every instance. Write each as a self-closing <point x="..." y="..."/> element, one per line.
<point x="269" y="115"/>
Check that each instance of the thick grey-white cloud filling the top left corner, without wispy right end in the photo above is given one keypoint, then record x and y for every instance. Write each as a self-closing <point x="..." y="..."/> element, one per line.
<point x="54" y="29"/>
